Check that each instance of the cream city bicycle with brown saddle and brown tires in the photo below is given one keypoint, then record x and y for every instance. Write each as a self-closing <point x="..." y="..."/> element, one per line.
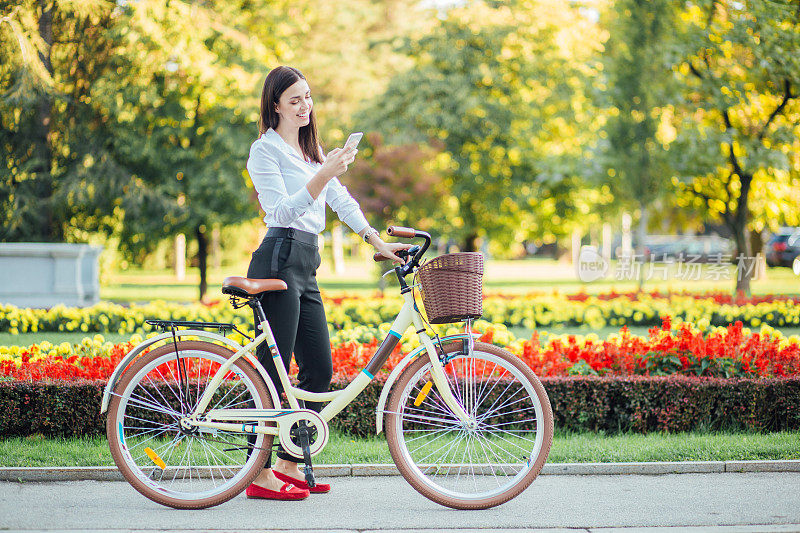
<point x="191" y="421"/>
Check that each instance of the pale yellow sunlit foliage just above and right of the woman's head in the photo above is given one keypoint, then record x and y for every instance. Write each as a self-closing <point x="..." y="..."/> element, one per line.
<point x="345" y="50"/>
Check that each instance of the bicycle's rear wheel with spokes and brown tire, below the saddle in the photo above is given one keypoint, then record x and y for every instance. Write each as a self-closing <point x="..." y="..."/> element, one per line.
<point x="185" y="468"/>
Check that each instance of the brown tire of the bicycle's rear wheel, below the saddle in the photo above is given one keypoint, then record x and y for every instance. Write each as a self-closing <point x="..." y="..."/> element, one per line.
<point x="114" y="442"/>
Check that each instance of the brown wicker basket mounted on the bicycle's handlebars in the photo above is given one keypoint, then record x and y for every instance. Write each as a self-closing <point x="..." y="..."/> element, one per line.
<point x="452" y="287"/>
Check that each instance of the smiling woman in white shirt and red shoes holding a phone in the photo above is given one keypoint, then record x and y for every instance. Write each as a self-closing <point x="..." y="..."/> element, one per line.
<point x="294" y="181"/>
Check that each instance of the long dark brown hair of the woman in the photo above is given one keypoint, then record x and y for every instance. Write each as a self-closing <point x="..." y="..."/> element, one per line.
<point x="278" y="80"/>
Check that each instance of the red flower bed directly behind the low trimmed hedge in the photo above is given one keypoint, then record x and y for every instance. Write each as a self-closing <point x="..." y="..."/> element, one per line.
<point x="665" y="351"/>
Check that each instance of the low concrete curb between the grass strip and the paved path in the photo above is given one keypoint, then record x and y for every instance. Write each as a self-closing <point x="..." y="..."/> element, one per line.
<point x="110" y="473"/>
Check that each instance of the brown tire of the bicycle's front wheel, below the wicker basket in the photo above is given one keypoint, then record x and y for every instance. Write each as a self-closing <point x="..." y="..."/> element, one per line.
<point x="408" y="472"/>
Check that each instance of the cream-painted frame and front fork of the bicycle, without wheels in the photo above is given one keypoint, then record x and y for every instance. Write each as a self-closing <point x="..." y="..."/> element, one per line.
<point x="407" y="316"/>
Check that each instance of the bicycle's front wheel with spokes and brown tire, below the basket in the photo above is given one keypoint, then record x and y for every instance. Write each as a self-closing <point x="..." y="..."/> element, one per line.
<point x="488" y="460"/>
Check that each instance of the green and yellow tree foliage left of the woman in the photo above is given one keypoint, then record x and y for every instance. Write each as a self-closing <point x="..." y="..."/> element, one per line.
<point x="128" y="121"/>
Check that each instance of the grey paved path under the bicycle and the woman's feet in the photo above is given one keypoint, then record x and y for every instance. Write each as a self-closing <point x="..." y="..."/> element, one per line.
<point x="389" y="503"/>
